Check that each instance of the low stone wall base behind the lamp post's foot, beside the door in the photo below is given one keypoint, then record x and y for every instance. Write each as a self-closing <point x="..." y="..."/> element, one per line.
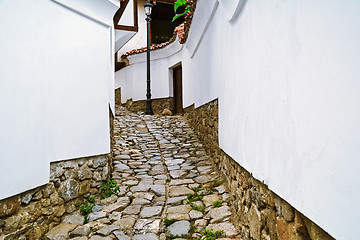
<point x="158" y="105"/>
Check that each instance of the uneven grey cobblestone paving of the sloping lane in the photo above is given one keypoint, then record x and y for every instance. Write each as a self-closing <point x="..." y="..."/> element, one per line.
<point x="167" y="187"/>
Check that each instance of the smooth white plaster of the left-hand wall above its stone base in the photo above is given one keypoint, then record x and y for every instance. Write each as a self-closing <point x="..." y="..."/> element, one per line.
<point x="56" y="81"/>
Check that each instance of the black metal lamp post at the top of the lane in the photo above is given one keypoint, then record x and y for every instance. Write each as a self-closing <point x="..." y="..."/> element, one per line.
<point x="148" y="7"/>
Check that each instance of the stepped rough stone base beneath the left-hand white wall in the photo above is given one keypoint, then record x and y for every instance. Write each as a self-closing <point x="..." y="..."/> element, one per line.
<point x="31" y="214"/>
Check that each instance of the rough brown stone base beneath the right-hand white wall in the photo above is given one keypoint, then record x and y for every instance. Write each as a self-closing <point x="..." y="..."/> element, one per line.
<point x="261" y="214"/>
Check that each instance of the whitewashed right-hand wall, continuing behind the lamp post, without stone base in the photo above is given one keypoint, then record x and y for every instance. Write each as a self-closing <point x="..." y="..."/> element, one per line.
<point x="287" y="78"/>
